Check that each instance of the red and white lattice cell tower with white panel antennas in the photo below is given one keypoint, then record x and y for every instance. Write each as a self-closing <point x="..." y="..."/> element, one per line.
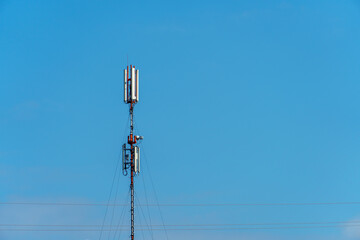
<point x="130" y="150"/>
